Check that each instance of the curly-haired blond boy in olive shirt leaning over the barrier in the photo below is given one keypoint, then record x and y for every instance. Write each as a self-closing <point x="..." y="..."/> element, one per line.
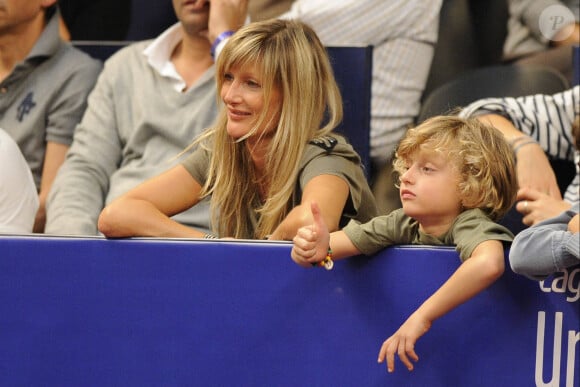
<point x="457" y="178"/>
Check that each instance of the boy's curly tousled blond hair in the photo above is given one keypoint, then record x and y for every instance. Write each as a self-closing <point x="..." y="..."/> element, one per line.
<point x="478" y="151"/>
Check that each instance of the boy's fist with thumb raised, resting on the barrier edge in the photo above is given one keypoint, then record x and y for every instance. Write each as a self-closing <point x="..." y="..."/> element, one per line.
<point x="310" y="244"/>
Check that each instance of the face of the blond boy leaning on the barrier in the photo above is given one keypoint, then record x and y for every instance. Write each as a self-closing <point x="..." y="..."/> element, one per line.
<point x="429" y="189"/>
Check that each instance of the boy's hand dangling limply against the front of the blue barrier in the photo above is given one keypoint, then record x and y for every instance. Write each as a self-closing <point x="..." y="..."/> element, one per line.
<point x="403" y="343"/>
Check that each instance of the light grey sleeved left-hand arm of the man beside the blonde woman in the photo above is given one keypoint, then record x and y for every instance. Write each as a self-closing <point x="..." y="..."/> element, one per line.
<point x="81" y="185"/>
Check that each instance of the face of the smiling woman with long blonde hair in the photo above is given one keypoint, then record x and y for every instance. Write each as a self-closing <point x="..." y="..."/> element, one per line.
<point x="243" y="96"/>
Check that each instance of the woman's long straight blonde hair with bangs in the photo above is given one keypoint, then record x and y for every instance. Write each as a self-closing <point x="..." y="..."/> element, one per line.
<point x="290" y="57"/>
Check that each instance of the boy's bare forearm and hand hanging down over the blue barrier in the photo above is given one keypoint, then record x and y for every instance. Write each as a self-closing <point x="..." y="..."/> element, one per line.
<point x="485" y="266"/>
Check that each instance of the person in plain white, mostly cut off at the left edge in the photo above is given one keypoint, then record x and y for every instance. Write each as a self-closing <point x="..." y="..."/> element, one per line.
<point x="18" y="197"/>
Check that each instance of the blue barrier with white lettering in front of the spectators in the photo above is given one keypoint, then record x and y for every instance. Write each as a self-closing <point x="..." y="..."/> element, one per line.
<point x="150" y="312"/>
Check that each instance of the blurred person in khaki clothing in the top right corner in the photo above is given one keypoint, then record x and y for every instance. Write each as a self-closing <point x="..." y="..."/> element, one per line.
<point x="542" y="32"/>
